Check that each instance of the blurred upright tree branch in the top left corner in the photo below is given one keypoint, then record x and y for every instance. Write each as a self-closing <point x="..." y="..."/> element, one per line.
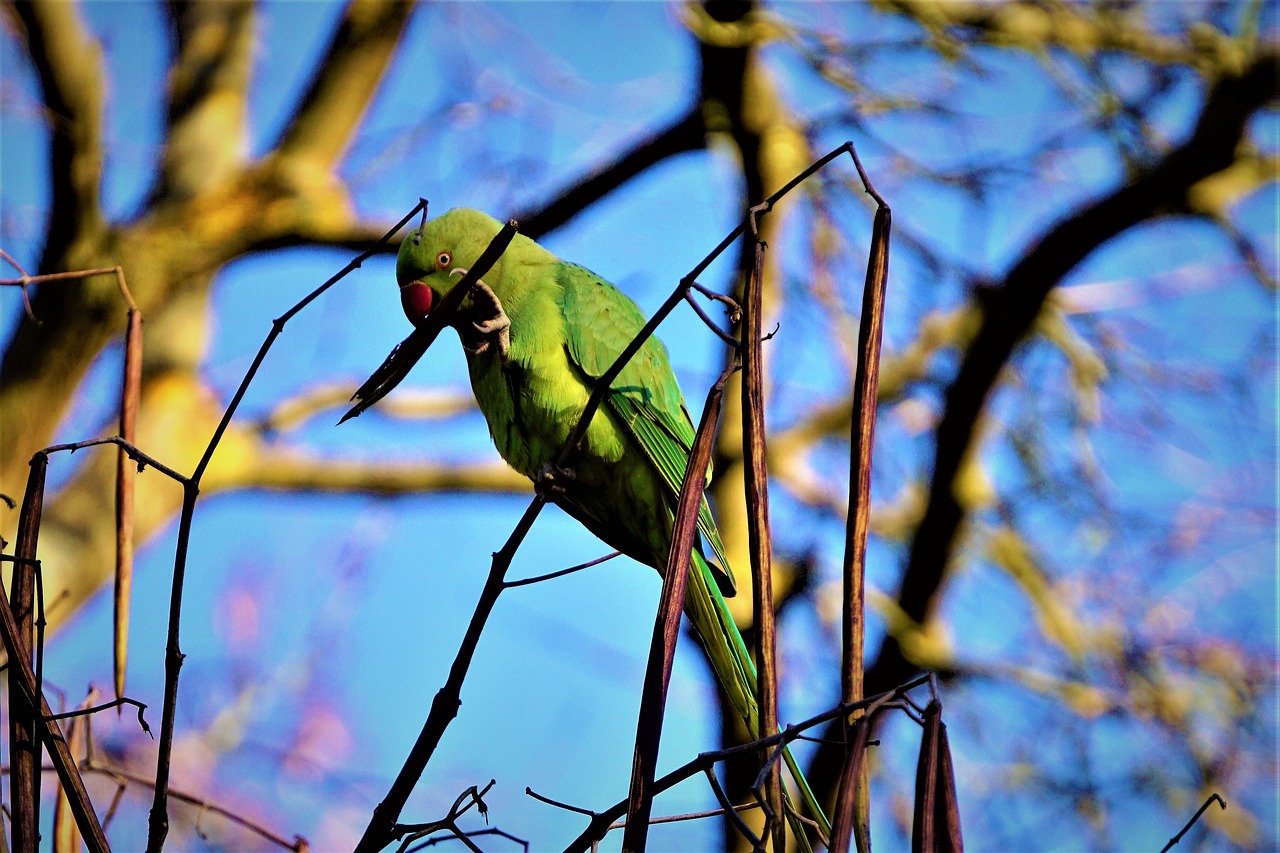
<point x="70" y="65"/>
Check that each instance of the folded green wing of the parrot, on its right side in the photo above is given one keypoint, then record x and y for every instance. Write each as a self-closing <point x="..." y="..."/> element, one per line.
<point x="601" y="323"/>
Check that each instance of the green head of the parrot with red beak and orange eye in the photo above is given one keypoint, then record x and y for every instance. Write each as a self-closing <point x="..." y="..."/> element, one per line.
<point x="435" y="258"/>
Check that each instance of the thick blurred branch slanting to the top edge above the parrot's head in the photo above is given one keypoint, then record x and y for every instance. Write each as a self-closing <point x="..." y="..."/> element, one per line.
<point x="344" y="85"/>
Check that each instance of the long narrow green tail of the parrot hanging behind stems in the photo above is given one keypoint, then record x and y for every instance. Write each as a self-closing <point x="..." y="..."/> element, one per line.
<point x="707" y="610"/>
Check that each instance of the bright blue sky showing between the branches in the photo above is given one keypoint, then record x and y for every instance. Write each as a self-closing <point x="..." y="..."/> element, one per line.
<point x="341" y="612"/>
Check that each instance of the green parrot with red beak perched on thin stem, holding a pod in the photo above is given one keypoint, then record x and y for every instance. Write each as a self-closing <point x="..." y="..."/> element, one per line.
<point x="538" y="332"/>
